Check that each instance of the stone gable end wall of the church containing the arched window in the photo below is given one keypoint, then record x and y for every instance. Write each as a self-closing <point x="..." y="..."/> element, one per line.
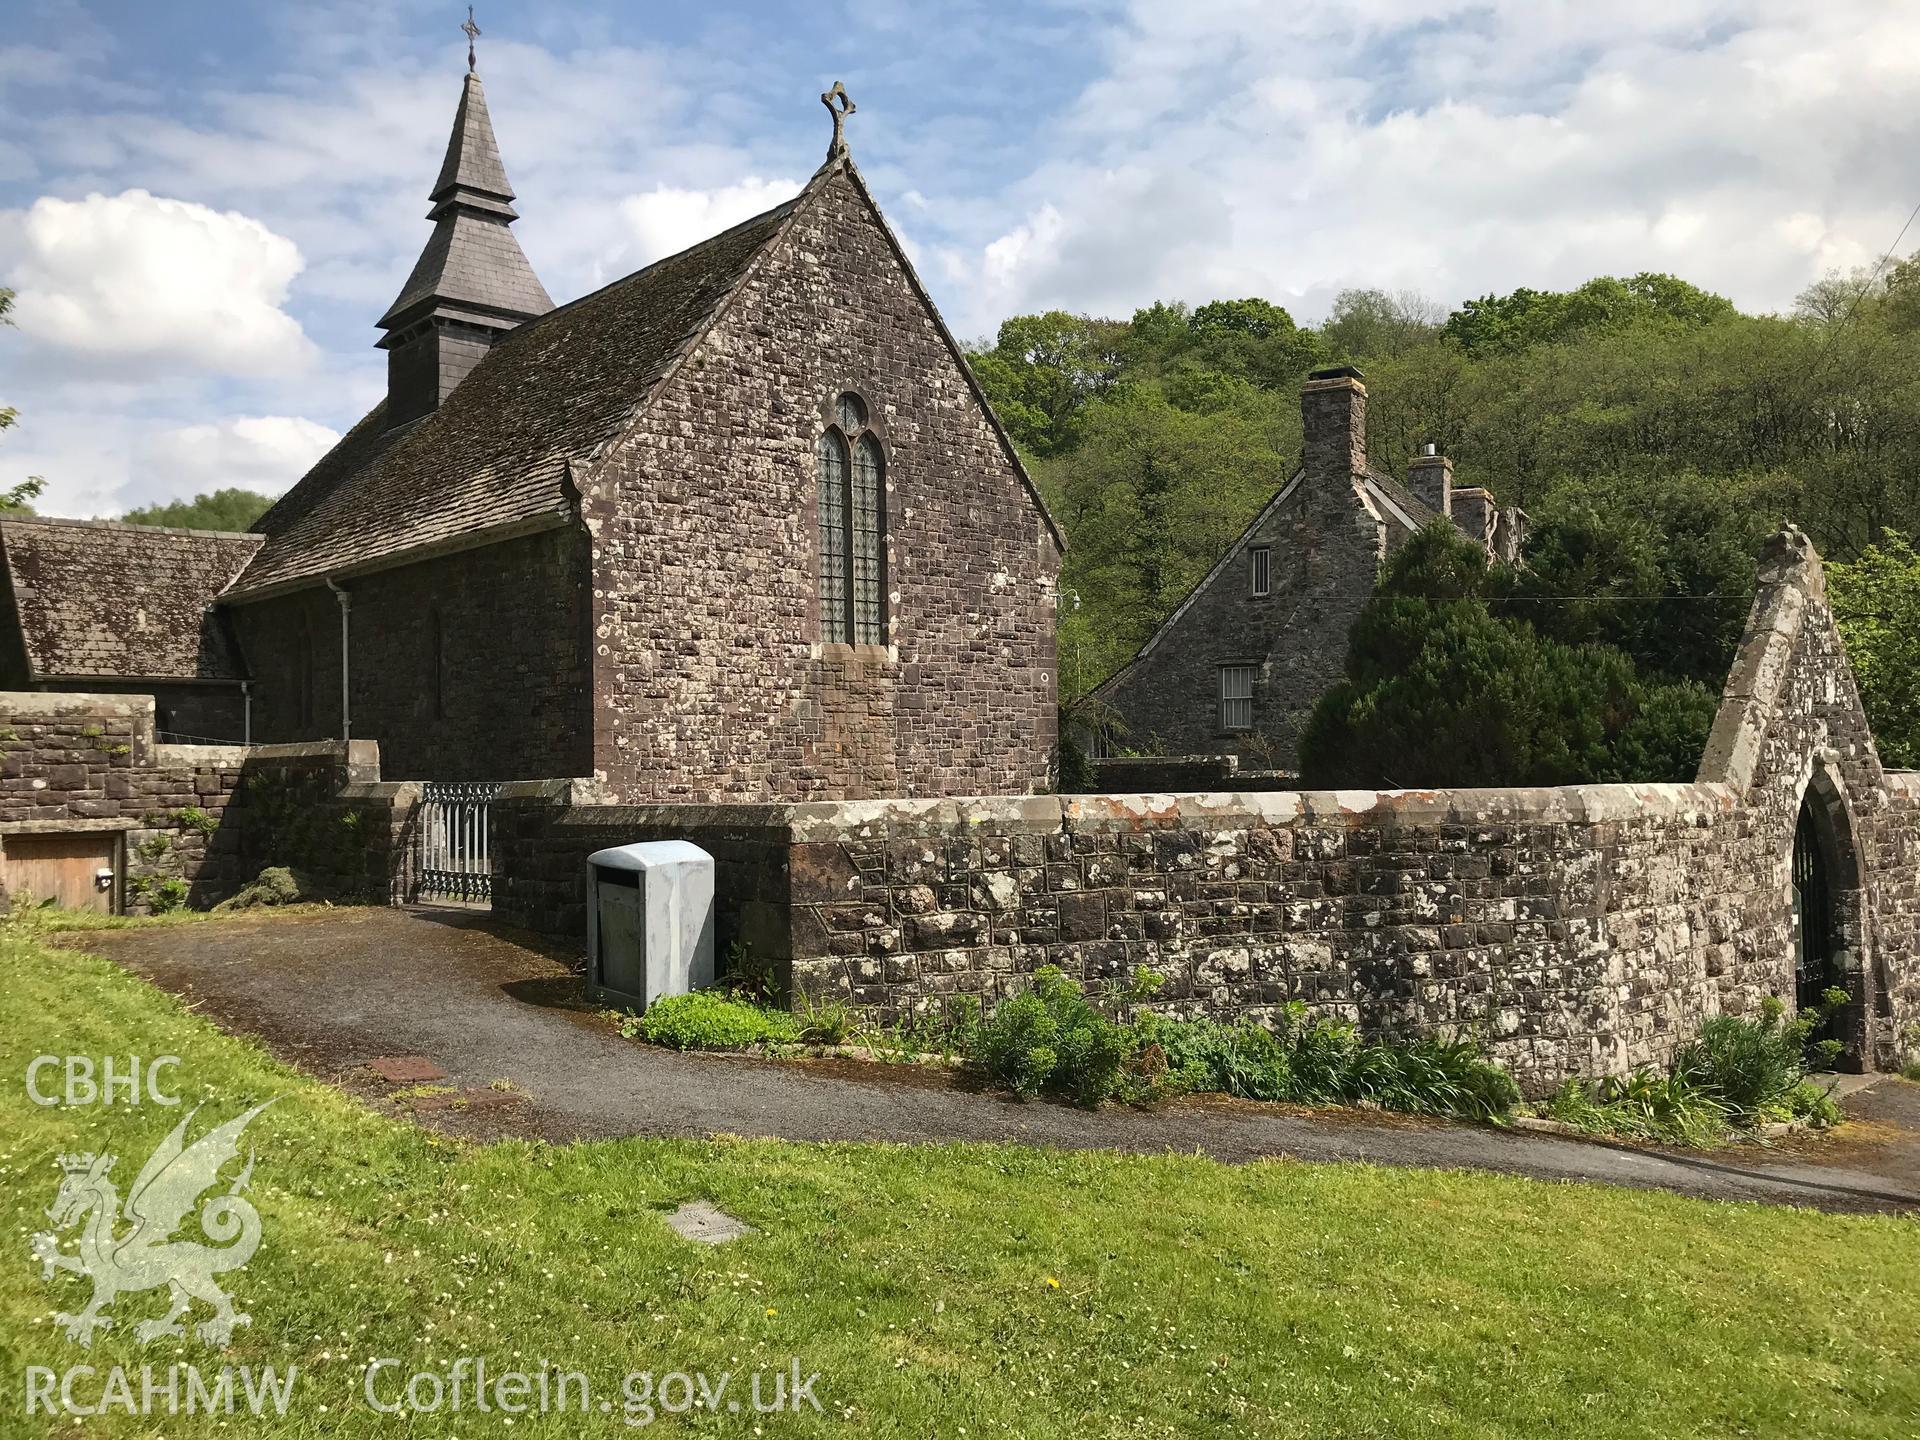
<point x="750" y="640"/>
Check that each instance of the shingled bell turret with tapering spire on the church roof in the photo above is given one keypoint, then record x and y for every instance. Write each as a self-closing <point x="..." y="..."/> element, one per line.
<point x="471" y="283"/>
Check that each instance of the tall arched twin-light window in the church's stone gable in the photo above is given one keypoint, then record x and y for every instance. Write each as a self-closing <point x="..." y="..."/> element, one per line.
<point x="853" y="525"/>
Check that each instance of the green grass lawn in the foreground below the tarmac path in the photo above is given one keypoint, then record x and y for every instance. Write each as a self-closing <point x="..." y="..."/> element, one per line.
<point x="953" y="1289"/>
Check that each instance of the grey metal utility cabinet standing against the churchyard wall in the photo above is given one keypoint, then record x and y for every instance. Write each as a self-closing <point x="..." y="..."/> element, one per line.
<point x="650" y="923"/>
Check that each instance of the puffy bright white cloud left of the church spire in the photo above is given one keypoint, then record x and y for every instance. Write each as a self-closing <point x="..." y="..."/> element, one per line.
<point x="135" y="277"/>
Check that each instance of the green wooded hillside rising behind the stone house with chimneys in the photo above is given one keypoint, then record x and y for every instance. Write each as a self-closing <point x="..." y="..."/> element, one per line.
<point x="1650" y="429"/>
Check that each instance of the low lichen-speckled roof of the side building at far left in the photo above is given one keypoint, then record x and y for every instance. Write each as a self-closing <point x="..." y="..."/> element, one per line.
<point x="126" y="602"/>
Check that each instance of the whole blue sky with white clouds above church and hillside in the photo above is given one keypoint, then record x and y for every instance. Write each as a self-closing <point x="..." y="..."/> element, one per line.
<point x="204" y="208"/>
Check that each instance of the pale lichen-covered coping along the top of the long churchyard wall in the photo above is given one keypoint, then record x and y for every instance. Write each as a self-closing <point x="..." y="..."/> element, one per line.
<point x="827" y="821"/>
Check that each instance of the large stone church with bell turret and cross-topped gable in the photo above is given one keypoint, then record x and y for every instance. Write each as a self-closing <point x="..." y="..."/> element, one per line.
<point x="740" y="527"/>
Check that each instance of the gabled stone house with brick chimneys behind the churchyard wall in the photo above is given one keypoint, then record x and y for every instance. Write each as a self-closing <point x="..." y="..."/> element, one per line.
<point x="1239" y="663"/>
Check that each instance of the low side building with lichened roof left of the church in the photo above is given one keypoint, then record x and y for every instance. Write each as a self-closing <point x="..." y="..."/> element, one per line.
<point x="124" y="610"/>
